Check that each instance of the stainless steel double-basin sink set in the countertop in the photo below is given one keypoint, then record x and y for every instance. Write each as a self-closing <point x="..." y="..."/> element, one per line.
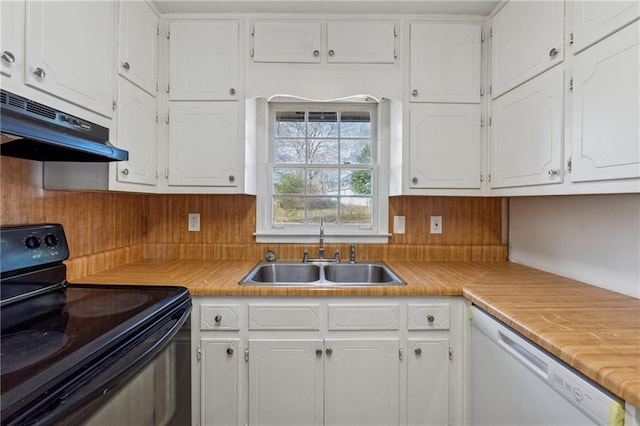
<point x="325" y="274"/>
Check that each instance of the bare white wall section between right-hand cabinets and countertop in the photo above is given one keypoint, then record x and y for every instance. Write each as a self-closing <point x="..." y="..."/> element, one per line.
<point x="590" y="238"/>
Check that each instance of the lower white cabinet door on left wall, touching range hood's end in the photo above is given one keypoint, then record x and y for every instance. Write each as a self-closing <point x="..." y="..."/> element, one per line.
<point x="137" y="133"/>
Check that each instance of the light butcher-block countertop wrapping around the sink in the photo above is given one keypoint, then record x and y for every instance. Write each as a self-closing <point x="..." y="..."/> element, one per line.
<point x="594" y="330"/>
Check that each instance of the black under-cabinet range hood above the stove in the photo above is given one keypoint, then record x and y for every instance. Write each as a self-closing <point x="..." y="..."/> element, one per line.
<point x="35" y="131"/>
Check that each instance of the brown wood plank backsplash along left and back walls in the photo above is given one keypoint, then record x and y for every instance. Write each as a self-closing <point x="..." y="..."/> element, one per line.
<point x="109" y="228"/>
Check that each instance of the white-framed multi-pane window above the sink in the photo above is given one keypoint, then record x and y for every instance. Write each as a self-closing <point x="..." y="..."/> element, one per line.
<point x="321" y="161"/>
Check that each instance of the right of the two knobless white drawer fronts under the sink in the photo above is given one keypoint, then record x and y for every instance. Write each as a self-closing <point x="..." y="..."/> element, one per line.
<point x="363" y="317"/>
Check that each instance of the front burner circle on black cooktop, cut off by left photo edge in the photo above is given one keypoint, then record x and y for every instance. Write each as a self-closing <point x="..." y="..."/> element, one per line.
<point x="28" y="347"/>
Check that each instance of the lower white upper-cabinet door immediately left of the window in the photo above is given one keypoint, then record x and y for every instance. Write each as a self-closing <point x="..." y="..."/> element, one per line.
<point x="203" y="145"/>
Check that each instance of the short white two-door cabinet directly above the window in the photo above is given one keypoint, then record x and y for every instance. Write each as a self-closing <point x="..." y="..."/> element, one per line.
<point x="364" y="42"/>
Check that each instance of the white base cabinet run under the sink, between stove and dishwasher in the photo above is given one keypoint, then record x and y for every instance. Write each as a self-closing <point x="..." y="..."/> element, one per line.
<point x="328" y="360"/>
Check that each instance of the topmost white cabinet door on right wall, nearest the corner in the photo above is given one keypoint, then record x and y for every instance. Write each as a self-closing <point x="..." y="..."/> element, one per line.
<point x="527" y="38"/>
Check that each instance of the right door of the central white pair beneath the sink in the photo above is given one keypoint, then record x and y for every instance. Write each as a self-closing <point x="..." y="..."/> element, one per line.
<point x="362" y="381"/>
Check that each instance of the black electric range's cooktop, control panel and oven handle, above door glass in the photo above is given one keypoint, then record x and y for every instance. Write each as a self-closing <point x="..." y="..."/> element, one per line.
<point x="66" y="348"/>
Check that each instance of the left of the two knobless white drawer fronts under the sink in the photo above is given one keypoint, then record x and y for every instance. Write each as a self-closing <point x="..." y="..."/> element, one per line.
<point x="284" y="317"/>
